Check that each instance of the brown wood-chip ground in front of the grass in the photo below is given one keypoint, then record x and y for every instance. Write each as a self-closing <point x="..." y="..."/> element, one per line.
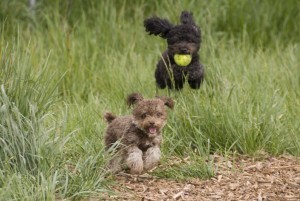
<point x="244" y="178"/>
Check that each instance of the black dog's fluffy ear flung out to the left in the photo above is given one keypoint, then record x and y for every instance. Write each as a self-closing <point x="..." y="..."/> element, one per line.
<point x="157" y="26"/>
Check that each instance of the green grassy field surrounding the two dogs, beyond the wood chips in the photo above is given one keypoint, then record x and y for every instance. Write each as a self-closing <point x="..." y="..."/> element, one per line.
<point x="64" y="63"/>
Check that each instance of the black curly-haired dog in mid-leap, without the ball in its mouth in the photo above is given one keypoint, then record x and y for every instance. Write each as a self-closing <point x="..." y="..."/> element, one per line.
<point x="184" y="38"/>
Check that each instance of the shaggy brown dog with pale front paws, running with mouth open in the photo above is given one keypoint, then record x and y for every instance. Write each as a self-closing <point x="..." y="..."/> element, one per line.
<point x="139" y="134"/>
